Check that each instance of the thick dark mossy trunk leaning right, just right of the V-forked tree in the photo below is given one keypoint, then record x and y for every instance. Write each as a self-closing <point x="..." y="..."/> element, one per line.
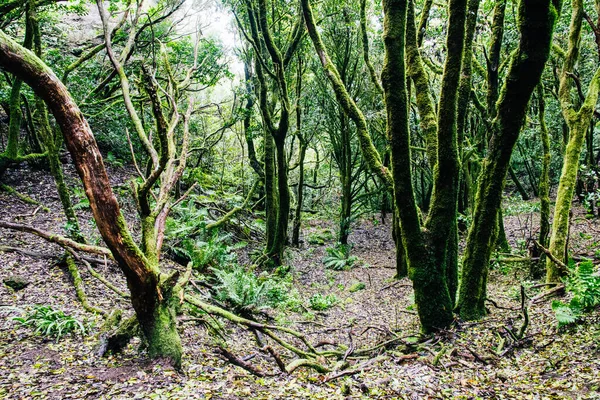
<point x="536" y="23"/>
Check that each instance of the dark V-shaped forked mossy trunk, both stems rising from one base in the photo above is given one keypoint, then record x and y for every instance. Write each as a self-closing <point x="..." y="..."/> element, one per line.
<point x="425" y="250"/>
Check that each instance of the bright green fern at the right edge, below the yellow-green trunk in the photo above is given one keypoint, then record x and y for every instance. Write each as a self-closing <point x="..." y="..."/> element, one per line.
<point x="585" y="286"/>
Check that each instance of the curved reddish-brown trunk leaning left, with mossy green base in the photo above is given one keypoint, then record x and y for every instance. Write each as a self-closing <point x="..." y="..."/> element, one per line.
<point x="152" y="295"/>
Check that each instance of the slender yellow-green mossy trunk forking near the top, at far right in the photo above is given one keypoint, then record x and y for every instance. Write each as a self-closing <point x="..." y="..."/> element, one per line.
<point x="578" y="122"/>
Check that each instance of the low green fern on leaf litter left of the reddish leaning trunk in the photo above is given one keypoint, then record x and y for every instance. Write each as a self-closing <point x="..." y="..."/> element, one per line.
<point x="50" y="322"/>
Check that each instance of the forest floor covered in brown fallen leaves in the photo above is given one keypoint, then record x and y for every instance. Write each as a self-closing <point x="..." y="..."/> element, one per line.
<point x="460" y="363"/>
